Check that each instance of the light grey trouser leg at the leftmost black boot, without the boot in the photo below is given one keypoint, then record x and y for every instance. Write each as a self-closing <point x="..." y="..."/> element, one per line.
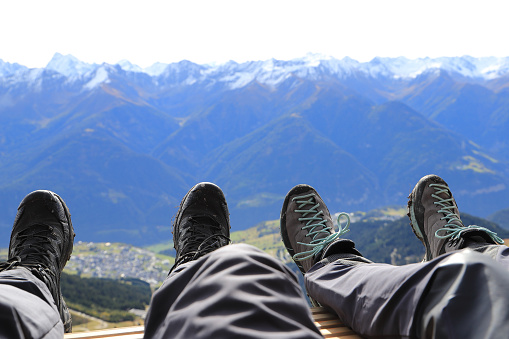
<point x="27" y="309"/>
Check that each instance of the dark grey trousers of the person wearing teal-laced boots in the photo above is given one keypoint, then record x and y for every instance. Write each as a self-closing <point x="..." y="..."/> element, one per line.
<point x="458" y="295"/>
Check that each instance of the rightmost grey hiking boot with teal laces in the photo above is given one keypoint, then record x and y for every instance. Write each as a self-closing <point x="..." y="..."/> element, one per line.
<point x="435" y="219"/>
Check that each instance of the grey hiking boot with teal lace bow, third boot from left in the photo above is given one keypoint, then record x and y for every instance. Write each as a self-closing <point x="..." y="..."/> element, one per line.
<point x="307" y="228"/>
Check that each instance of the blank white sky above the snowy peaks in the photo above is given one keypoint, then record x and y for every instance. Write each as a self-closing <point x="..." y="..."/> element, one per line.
<point x="216" y="31"/>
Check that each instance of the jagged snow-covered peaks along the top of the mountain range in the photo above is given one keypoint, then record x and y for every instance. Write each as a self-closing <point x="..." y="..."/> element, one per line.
<point x="274" y="71"/>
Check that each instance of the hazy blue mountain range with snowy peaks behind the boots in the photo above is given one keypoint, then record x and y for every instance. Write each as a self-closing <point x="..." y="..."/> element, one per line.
<point x="122" y="144"/>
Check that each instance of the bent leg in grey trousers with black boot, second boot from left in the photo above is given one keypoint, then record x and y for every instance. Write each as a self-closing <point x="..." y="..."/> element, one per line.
<point x="219" y="291"/>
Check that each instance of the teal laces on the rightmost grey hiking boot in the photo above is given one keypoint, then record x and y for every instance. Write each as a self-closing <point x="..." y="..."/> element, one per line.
<point x="454" y="227"/>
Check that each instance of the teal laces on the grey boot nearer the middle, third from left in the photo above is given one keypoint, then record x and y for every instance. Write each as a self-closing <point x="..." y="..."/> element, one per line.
<point x="322" y="235"/>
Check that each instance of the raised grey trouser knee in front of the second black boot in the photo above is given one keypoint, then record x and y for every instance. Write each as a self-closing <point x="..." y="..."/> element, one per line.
<point x="236" y="291"/>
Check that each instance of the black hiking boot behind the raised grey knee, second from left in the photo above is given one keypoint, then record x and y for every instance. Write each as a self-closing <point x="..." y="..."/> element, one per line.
<point x="202" y="224"/>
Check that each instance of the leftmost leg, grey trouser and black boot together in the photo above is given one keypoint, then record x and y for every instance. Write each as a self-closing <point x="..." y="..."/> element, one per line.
<point x="31" y="304"/>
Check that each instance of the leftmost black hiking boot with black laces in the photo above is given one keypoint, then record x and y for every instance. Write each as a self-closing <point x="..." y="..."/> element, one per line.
<point x="41" y="241"/>
